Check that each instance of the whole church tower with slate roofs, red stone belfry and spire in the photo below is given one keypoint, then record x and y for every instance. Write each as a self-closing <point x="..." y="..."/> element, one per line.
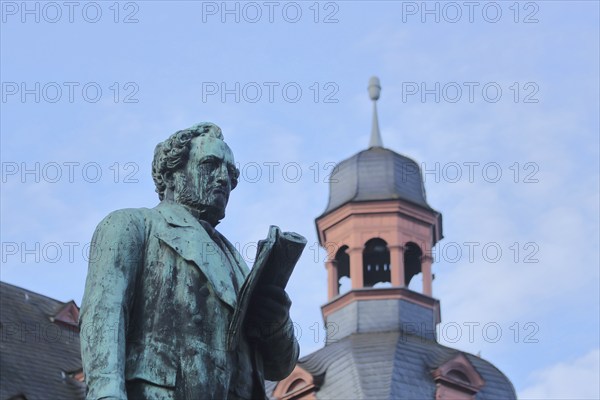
<point x="381" y="316"/>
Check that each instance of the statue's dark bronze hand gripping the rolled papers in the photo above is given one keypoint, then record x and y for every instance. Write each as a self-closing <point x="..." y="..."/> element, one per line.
<point x="268" y="312"/>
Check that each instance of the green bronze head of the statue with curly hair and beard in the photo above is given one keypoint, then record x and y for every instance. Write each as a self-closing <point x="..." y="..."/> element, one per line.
<point x="195" y="167"/>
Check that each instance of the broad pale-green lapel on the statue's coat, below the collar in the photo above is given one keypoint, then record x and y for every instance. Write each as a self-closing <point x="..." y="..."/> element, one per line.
<point x="185" y="235"/>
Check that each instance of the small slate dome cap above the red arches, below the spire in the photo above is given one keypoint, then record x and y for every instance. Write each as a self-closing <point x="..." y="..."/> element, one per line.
<point x="376" y="174"/>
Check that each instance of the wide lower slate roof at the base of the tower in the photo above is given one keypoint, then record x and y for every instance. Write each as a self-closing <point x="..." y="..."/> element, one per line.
<point x="391" y="365"/>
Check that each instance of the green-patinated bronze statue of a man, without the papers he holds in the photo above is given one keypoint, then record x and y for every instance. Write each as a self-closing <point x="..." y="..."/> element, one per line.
<point x="163" y="284"/>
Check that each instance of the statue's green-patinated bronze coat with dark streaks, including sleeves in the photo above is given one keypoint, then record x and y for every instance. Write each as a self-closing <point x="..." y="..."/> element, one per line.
<point x="159" y="296"/>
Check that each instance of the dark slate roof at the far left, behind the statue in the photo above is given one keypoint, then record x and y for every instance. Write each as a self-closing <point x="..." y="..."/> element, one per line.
<point x="37" y="355"/>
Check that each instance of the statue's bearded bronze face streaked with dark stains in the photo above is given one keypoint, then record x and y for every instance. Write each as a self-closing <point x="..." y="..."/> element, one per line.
<point x="205" y="182"/>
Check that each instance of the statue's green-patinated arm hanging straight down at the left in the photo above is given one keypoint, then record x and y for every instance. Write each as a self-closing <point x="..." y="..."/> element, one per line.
<point x="116" y="252"/>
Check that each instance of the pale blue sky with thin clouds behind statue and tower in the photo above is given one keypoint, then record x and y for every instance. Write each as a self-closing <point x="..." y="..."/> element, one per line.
<point x="160" y="74"/>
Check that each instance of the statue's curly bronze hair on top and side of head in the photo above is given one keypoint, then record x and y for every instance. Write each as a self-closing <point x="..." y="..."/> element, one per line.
<point x="172" y="154"/>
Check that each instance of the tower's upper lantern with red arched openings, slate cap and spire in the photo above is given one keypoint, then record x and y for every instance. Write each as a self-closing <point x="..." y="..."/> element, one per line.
<point x="378" y="230"/>
